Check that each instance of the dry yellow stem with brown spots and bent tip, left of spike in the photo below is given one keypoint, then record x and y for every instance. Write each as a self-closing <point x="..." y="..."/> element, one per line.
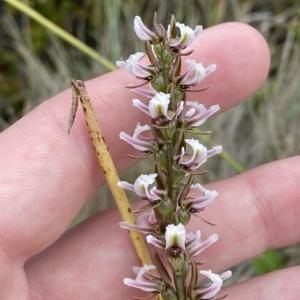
<point x="107" y="165"/>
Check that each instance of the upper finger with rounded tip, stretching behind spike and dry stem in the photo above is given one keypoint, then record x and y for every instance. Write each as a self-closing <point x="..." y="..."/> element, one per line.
<point x="49" y="175"/>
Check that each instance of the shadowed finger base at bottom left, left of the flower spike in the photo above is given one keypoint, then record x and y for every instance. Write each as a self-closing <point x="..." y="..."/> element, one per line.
<point x="90" y="263"/>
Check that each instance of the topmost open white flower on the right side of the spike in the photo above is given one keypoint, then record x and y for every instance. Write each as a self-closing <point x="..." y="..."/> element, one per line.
<point x="187" y="36"/>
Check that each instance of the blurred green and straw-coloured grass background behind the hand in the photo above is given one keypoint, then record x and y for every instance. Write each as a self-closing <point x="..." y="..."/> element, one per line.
<point x="32" y="58"/>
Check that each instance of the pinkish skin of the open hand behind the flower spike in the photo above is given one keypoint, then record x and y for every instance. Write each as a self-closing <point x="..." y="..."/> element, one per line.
<point x="47" y="176"/>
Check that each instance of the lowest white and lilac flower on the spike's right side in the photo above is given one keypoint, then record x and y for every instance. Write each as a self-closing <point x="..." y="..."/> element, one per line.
<point x="212" y="289"/>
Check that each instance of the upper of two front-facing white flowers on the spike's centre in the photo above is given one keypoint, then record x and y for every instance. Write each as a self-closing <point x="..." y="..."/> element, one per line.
<point x="158" y="107"/>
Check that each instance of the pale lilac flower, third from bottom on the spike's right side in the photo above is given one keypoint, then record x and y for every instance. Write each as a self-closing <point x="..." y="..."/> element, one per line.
<point x="194" y="205"/>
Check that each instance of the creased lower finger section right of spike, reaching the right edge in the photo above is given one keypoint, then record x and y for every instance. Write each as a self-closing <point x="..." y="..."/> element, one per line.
<point x="255" y="212"/>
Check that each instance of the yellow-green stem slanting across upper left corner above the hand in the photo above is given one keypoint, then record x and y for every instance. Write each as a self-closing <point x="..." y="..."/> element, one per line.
<point x="61" y="33"/>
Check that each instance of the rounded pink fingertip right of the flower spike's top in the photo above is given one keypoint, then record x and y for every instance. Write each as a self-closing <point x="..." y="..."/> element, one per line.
<point x="242" y="57"/>
